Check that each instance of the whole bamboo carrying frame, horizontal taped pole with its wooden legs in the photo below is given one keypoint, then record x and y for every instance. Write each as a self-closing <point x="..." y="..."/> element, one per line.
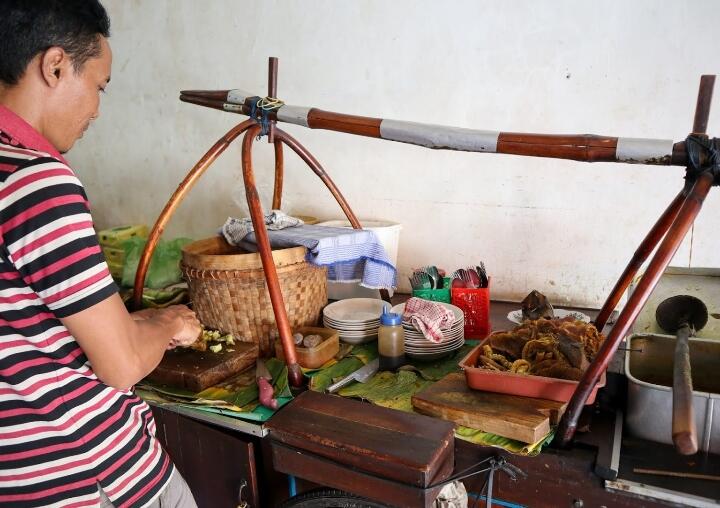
<point x="668" y="231"/>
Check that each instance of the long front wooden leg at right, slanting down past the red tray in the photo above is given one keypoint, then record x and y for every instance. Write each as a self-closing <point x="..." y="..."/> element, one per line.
<point x="685" y="218"/>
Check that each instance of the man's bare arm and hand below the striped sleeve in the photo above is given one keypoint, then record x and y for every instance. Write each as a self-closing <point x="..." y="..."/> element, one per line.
<point x="123" y="348"/>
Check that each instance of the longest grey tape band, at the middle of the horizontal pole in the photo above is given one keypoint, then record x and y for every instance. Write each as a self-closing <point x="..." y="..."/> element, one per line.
<point x="439" y="136"/>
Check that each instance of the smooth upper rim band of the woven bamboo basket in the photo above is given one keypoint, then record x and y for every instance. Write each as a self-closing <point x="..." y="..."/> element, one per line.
<point x="216" y="254"/>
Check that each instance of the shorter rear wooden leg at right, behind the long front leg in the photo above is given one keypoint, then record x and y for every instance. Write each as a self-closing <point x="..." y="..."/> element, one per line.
<point x="641" y="254"/>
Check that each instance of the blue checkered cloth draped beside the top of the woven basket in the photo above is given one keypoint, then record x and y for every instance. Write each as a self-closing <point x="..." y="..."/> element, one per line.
<point x="351" y="255"/>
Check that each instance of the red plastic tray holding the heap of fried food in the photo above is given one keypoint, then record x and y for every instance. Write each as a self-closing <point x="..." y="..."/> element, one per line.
<point x="538" y="387"/>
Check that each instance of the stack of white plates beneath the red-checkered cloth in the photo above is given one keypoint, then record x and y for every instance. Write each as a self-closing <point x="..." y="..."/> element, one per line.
<point x="418" y="347"/>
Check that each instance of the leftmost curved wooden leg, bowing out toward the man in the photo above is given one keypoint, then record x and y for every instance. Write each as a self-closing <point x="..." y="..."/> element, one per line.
<point x="192" y="177"/>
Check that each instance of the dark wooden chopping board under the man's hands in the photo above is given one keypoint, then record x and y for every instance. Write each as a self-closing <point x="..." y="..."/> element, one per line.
<point x="197" y="370"/>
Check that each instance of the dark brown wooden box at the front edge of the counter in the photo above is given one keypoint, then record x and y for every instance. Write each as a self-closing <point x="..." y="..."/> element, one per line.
<point x="404" y="447"/>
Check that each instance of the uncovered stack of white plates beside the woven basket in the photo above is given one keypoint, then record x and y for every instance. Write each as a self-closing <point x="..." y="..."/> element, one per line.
<point x="356" y="319"/>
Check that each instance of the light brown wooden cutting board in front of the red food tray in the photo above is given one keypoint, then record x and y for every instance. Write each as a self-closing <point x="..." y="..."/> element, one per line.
<point x="521" y="418"/>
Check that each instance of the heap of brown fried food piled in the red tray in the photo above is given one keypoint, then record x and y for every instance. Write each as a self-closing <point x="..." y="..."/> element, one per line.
<point x="559" y="348"/>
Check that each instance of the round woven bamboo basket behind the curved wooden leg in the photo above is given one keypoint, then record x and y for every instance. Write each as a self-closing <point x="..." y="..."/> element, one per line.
<point x="228" y="291"/>
